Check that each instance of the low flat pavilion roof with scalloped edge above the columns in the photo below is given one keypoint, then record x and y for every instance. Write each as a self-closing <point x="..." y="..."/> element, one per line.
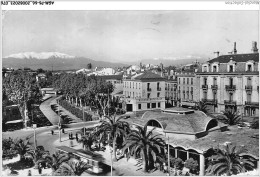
<point x="241" y="137"/>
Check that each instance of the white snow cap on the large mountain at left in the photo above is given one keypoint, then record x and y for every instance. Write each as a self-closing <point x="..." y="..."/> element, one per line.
<point x="41" y="55"/>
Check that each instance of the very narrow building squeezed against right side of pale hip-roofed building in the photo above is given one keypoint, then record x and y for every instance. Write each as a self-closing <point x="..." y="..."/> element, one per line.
<point x="171" y="91"/>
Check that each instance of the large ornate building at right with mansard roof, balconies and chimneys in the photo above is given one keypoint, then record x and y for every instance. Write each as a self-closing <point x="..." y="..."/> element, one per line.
<point x="231" y="82"/>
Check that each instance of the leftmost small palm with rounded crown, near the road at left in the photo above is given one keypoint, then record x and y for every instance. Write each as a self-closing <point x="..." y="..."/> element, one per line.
<point x="22" y="147"/>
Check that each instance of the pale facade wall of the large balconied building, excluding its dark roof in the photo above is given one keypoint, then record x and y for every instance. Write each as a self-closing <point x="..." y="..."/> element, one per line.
<point x="240" y="95"/>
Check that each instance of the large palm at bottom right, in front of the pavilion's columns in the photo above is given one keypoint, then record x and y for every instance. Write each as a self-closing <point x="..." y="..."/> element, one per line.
<point x="228" y="161"/>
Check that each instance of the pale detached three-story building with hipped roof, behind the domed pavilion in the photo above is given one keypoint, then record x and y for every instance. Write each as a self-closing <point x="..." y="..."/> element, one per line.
<point x="144" y="91"/>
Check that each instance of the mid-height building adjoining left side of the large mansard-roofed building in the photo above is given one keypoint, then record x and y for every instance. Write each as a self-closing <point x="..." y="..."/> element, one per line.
<point x="187" y="87"/>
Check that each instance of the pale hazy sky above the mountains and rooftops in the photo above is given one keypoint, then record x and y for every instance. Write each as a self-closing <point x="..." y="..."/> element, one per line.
<point x="130" y="35"/>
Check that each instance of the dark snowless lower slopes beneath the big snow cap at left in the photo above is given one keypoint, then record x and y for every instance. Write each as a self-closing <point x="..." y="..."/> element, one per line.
<point x="56" y="63"/>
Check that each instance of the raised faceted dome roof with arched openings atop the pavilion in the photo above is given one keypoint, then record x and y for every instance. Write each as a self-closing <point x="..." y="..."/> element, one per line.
<point x="179" y="121"/>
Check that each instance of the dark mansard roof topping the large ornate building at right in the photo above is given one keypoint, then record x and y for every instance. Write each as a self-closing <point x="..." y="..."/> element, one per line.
<point x="236" y="58"/>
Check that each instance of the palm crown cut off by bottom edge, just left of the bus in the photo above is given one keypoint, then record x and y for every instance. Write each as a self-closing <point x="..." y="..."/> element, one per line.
<point x="72" y="168"/>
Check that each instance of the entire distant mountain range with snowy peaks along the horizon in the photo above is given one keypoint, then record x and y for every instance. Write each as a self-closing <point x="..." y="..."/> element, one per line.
<point x="61" y="61"/>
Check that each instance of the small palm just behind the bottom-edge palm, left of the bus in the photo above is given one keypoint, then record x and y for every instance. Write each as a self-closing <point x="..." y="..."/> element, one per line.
<point x="57" y="159"/>
